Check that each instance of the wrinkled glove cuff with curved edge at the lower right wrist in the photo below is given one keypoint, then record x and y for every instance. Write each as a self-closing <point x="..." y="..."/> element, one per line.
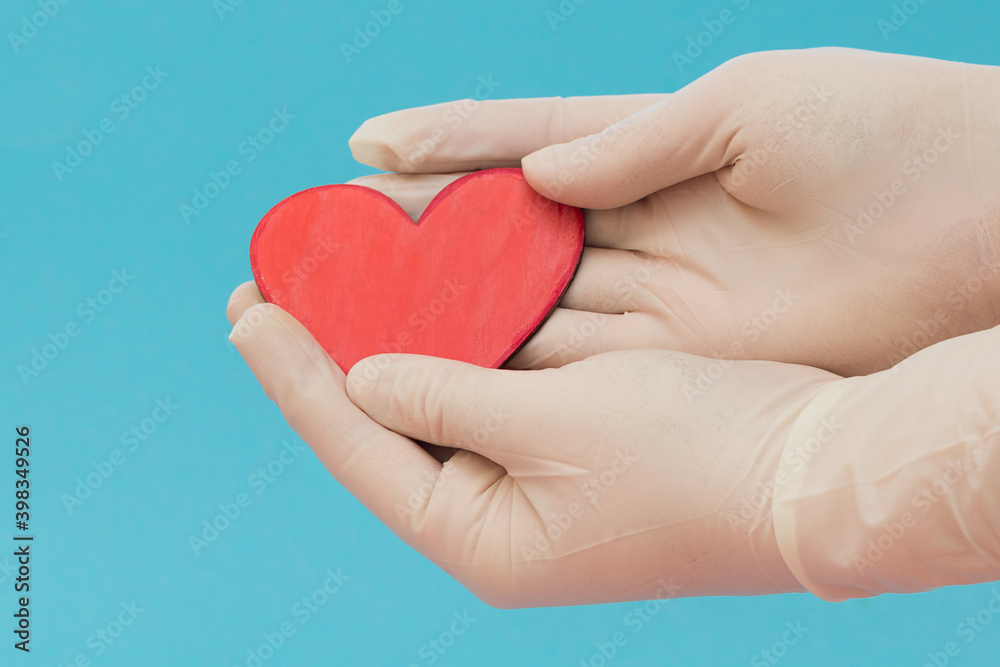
<point x="904" y="496"/>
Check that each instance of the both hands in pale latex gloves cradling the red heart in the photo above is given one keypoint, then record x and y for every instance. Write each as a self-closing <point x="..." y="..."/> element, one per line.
<point x="829" y="211"/>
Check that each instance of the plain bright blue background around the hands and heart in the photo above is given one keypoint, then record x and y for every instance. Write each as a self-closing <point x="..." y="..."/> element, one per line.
<point x="164" y="336"/>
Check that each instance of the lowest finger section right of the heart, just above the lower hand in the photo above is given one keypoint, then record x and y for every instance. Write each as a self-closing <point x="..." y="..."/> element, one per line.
<point x="572" y="335"/>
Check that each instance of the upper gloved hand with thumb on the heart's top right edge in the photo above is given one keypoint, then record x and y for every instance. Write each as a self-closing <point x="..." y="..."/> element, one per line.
<point x="830" y="207"/>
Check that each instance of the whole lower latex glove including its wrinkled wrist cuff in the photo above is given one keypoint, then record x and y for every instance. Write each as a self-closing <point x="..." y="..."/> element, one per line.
<point x="605" y="481"/>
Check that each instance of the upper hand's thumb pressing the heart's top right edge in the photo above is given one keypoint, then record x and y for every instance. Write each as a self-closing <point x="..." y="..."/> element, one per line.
<point x="690" y="133"/>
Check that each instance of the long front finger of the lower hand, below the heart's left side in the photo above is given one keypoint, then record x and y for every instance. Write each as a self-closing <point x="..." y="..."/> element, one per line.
<point x="379" y="467"/>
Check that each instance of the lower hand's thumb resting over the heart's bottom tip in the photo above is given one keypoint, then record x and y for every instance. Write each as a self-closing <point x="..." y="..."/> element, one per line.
<point x="439" y="401"/>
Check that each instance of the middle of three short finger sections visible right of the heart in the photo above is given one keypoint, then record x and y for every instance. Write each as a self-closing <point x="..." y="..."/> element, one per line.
<point x="607" y="281"/>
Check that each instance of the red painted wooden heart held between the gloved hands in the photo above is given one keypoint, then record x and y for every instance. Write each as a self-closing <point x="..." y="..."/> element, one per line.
<point x="471" y="280"/>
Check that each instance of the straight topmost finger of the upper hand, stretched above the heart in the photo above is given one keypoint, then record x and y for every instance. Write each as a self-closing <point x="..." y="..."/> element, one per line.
<point x="468" y="134"/>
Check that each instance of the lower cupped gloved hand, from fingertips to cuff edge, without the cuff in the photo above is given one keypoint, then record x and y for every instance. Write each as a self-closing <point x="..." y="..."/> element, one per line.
<point x="600" y="481"/>
